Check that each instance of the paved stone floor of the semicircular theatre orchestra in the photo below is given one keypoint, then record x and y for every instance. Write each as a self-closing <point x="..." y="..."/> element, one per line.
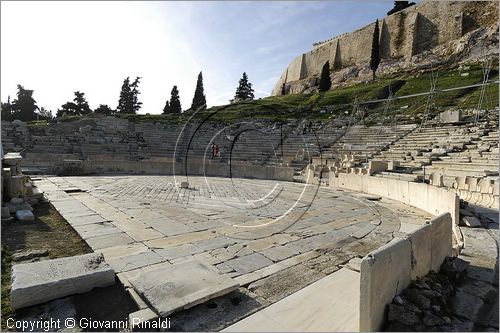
<point x="273" y="237"/>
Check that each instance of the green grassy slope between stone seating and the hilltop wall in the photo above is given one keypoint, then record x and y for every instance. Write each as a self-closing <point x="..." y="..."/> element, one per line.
<point x="339" y="100"/>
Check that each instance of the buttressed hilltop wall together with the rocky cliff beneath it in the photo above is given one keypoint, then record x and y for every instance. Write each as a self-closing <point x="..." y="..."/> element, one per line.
<point x="432" y="31"/>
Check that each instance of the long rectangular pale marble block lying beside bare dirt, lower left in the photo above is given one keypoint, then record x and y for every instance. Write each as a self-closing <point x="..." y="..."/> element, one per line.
<point x="43" y="281"/>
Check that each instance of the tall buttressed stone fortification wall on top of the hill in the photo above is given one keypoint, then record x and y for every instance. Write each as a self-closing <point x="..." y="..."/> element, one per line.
<point x="404" y="34"/>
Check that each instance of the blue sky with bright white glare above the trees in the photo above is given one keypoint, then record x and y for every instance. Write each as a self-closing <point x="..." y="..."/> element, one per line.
<point x="59" y="47"/>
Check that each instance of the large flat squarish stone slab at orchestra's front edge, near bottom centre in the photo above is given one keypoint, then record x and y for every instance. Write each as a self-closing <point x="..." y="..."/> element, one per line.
<point x="181" y="286"/>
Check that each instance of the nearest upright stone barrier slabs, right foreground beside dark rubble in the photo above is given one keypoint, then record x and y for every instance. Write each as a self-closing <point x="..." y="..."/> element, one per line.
<point x="388" y="270"/>
